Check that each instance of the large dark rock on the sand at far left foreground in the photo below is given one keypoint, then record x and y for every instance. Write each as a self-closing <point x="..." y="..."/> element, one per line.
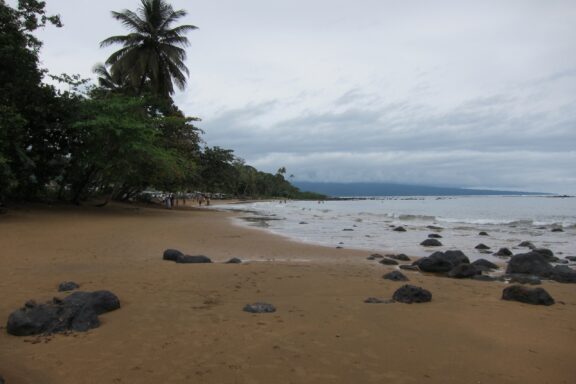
<point x="77" y="312"/>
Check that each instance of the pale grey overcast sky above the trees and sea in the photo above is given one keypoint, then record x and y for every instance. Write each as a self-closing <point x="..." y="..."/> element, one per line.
<point x="478" y="94"/>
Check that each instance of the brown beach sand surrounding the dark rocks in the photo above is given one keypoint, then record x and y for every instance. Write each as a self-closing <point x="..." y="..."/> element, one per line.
<point x="184" y="323"/>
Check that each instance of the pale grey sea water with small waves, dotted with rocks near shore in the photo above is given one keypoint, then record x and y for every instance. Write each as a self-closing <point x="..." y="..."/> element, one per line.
<point x="369" y="223"/>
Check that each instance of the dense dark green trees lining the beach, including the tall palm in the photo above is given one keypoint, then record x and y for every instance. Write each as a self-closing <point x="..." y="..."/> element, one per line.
<point x="120" y="137"/>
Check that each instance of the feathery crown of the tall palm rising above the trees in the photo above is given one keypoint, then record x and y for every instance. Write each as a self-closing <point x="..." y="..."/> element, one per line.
<point x="153" y="53"/>
